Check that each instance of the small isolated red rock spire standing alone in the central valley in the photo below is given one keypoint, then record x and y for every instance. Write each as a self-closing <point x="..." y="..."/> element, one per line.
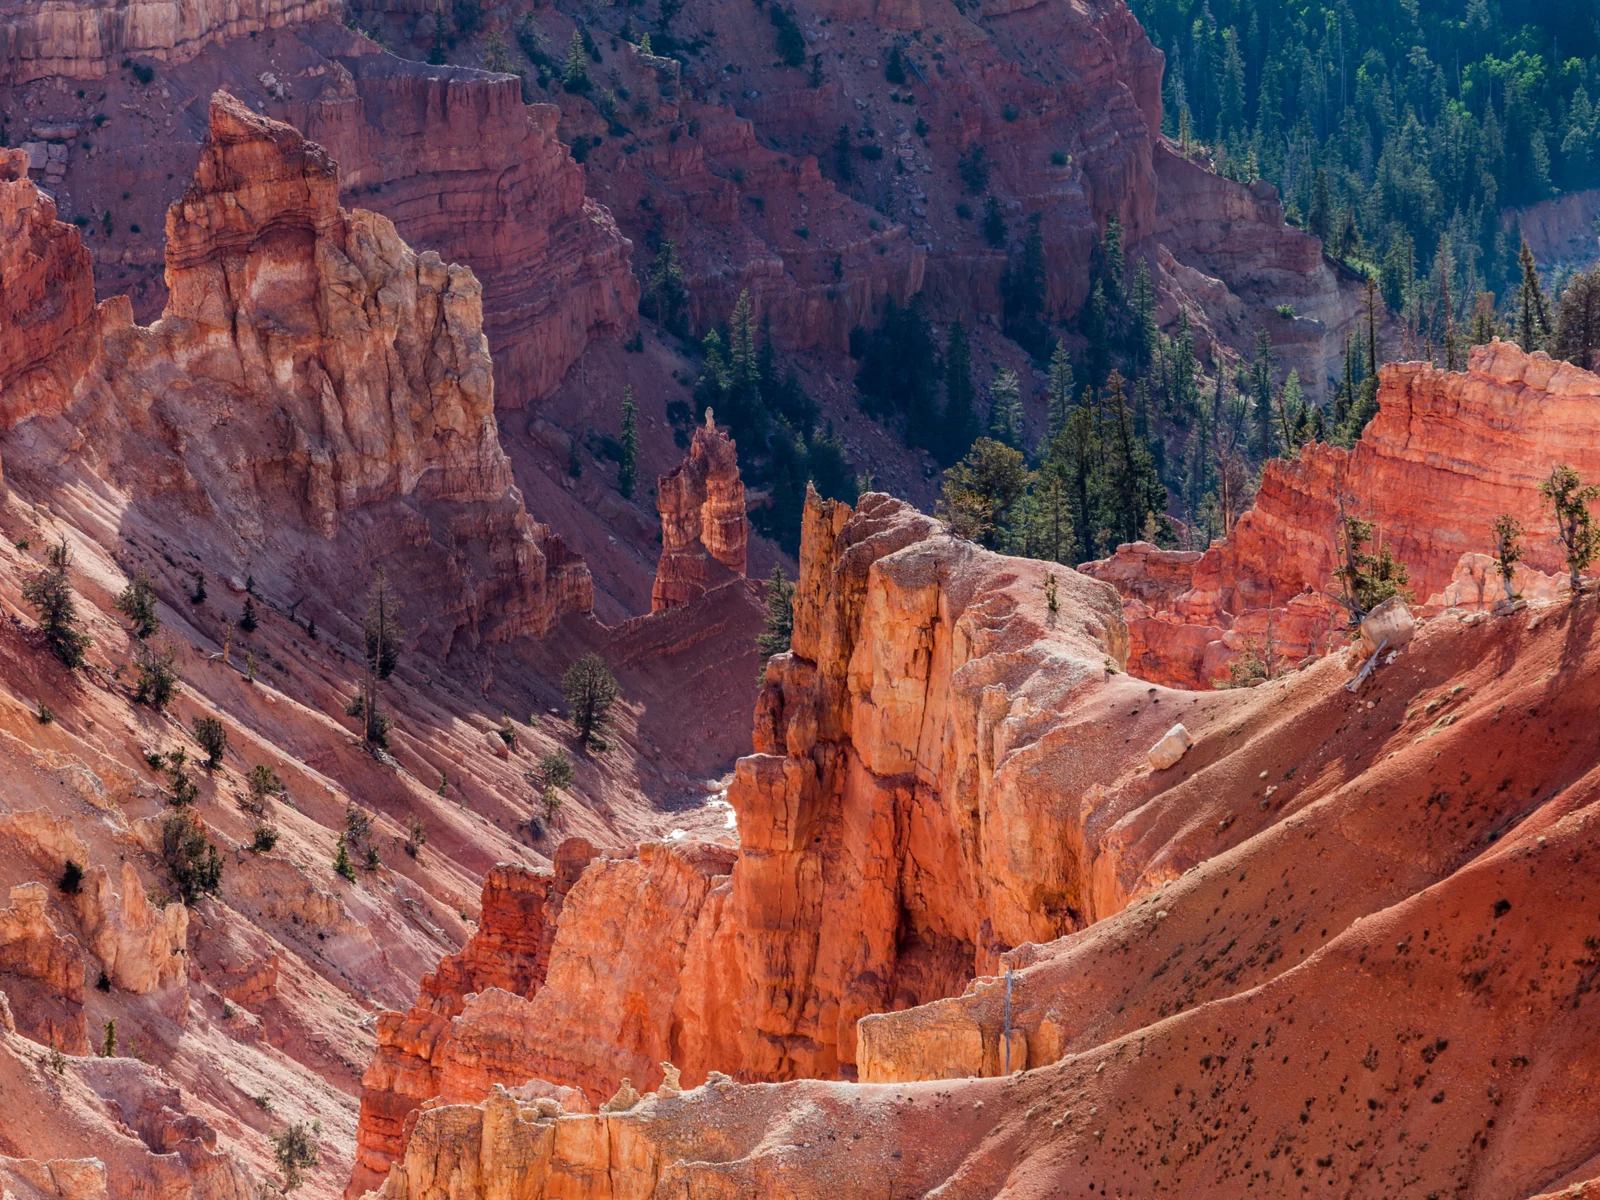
<point x="703" y="524"/>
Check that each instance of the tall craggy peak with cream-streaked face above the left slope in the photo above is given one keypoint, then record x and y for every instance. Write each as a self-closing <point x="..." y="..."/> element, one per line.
<point x="342" y="378"/>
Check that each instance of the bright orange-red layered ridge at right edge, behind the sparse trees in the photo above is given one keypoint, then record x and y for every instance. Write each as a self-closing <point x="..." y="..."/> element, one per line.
<point x="1447" y="454"/>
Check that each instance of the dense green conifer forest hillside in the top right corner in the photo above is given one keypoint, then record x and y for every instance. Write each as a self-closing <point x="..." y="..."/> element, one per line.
<point x="1398" y="130"/>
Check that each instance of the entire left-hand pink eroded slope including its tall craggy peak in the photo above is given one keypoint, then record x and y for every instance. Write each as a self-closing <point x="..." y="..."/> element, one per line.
<point x="316" y="402"/>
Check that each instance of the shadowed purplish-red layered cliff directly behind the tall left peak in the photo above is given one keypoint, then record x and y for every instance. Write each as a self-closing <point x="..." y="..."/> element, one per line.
<point x="463" y="167"/>
